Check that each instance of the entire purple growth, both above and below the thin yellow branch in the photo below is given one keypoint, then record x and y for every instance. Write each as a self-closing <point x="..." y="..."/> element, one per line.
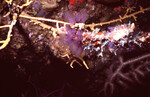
<point x="73" y="37"/>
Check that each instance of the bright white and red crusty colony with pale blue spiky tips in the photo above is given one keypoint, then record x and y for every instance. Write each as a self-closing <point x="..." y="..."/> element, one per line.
<point x="113" y="39"/>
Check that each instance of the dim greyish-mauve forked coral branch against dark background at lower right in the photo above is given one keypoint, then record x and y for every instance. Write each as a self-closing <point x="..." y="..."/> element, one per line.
<point x="122" y="78"/>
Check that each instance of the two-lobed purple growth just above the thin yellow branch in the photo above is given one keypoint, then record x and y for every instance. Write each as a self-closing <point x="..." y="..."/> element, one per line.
<point x="79" y="17"/>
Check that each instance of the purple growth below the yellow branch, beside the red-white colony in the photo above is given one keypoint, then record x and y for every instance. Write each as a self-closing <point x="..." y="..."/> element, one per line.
<point x="72" y="41"/>
